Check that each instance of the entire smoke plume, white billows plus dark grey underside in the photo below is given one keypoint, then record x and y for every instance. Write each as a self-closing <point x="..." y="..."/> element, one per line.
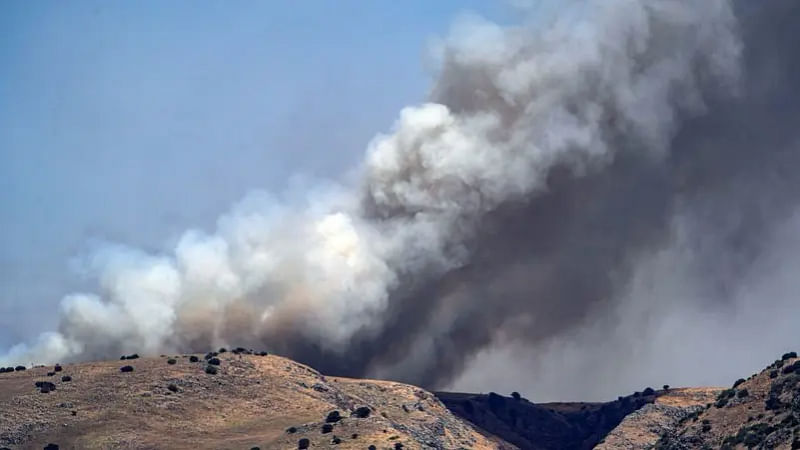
<point x="554" y="160"/>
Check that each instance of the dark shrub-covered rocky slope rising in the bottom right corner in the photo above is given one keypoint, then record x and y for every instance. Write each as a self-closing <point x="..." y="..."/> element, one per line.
<point x="762" y="412"/>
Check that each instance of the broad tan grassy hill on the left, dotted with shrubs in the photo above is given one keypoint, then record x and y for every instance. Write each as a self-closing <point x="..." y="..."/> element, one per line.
<point x="253" y="401"/>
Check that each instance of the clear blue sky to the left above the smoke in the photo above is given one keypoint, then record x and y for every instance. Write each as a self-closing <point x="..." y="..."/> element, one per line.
<point x="132" y="121"/>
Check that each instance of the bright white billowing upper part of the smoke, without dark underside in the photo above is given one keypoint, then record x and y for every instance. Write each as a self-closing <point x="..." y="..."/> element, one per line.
<point x="510" y="104"/>
